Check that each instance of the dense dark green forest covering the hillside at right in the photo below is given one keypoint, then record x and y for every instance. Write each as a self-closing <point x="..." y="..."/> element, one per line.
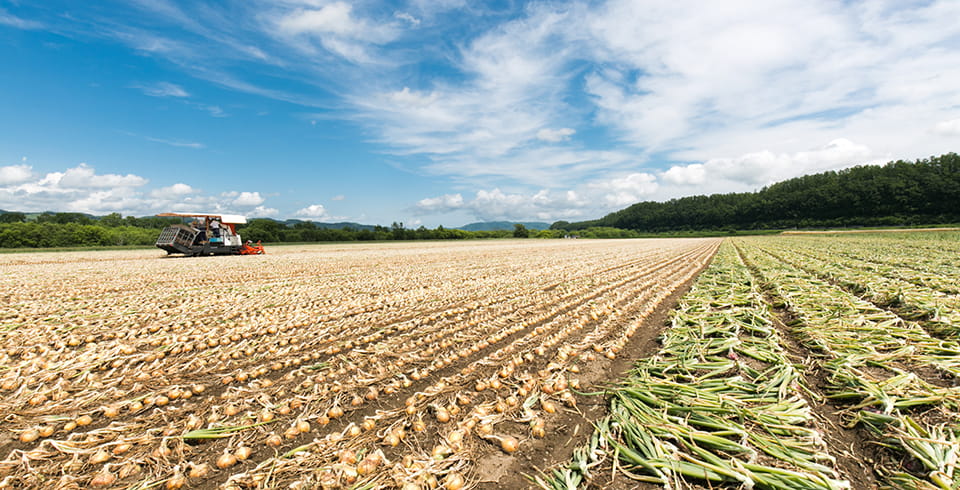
<point x="896" y="194"/>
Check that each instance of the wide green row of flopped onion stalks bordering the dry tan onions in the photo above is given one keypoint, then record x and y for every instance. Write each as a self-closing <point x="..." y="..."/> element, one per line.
<point x="720" y="402"/>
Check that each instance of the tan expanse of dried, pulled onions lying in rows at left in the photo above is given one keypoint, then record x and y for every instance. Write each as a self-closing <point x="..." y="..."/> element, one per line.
<point x="321" y="356"/>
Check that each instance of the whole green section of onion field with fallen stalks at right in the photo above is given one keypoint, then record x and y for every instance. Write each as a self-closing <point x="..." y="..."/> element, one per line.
<point x="795" y="362"/>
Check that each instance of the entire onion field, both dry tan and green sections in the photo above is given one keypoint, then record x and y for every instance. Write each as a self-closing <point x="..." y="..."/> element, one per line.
<point x="778" y="362"/>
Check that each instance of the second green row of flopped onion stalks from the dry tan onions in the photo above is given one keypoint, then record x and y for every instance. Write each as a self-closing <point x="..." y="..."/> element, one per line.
<point x="890" y="376"/>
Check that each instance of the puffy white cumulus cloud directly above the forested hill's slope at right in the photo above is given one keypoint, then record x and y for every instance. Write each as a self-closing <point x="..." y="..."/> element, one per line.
<point x="764" y="167"/>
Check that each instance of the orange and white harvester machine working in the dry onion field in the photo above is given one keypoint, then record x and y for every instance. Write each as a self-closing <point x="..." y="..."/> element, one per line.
<point x="206" y="234"/>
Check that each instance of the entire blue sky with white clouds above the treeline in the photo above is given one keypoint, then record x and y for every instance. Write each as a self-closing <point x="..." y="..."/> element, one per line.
<point x="444" y="112"/>
